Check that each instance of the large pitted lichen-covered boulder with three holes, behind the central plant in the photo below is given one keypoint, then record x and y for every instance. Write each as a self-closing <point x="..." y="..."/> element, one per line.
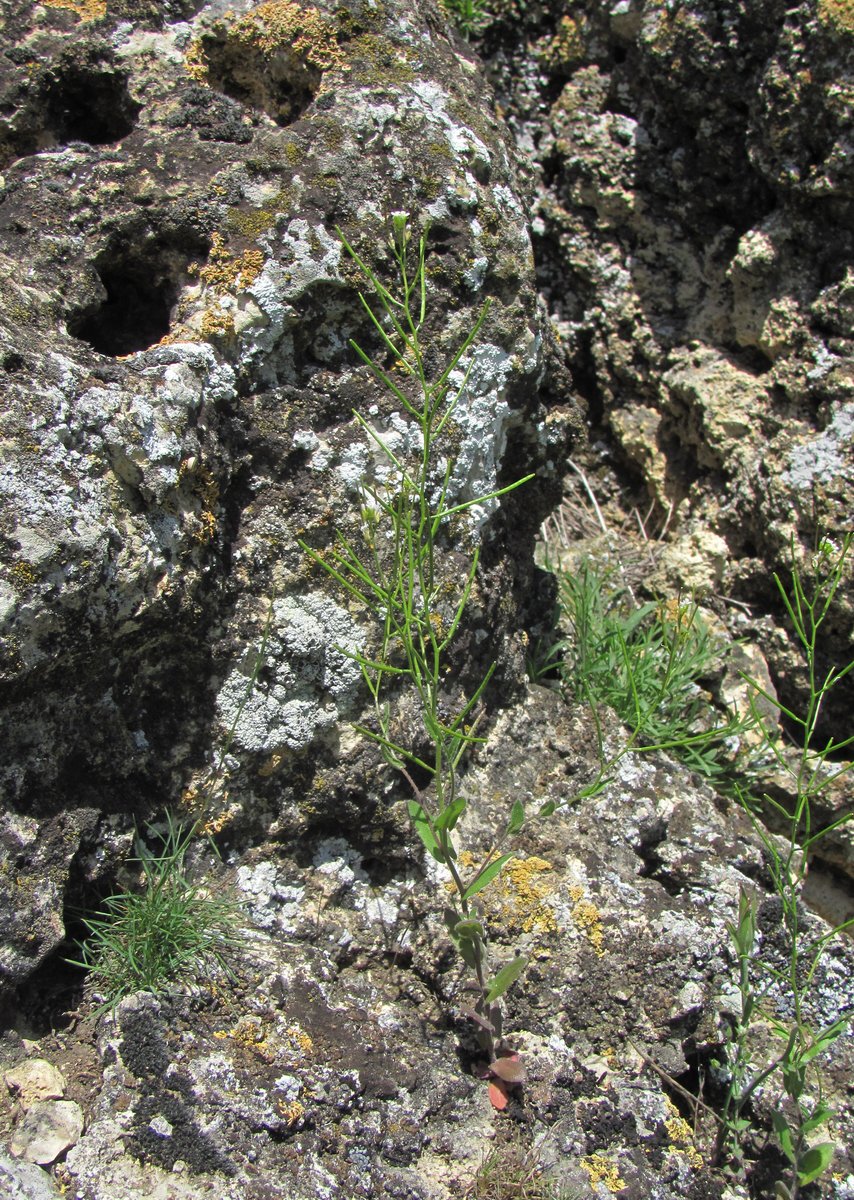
<point x="179" y="394"/>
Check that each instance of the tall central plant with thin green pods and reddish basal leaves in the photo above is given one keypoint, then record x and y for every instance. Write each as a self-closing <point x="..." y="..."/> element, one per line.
<point x="395" y="574"/>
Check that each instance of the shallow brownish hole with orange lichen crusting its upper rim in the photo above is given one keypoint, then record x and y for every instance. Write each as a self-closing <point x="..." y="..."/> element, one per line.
<point x="280" y="85"/>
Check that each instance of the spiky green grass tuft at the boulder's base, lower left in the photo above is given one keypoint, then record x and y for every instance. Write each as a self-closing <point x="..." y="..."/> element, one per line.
<point x="147" y="940"/>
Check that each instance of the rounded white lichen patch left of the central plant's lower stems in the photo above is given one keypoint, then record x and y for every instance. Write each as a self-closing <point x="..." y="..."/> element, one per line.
<point x="304" y="683"/>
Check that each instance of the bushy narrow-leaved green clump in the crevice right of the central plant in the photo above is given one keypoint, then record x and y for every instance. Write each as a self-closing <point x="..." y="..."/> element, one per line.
<point x="647" y="663"/>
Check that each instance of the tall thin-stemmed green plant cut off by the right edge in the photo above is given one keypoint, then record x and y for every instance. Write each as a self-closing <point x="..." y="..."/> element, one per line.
<point x="762" y="980"/>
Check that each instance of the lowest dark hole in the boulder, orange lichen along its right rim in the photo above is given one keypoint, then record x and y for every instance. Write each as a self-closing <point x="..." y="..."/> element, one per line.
<point x="142" y="273"/>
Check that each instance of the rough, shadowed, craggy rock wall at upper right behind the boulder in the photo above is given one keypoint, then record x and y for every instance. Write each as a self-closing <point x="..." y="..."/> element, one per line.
<point x="695" y="239"/>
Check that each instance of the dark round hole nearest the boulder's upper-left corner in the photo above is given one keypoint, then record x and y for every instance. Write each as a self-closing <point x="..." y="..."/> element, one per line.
<point x="87" y="101"/>
